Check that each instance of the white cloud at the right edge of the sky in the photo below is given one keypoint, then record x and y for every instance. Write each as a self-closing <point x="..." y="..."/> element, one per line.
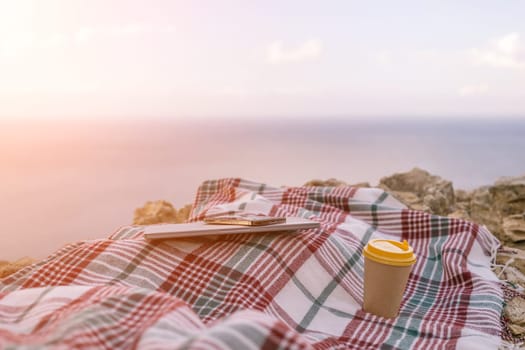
<point x="505" y="52"/>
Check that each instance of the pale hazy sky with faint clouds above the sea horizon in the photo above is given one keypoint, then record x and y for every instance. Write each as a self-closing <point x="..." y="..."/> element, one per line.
<point x="301" y="59"/>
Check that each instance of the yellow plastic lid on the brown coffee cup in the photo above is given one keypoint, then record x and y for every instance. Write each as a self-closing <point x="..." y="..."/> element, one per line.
<point x="389" y="252"/>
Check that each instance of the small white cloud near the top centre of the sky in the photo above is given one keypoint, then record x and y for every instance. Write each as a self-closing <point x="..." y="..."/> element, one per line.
<point x="310" y="50"/>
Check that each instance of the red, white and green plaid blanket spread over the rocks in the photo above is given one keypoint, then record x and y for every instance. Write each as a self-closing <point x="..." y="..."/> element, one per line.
<point x="278" y="290"/>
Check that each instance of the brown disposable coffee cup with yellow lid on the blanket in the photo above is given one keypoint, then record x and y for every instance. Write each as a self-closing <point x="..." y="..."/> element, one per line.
<point x="387" y="267"/>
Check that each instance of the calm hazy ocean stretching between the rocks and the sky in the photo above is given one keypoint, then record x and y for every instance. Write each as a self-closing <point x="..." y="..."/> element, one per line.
<point x="67" y="181"/>
